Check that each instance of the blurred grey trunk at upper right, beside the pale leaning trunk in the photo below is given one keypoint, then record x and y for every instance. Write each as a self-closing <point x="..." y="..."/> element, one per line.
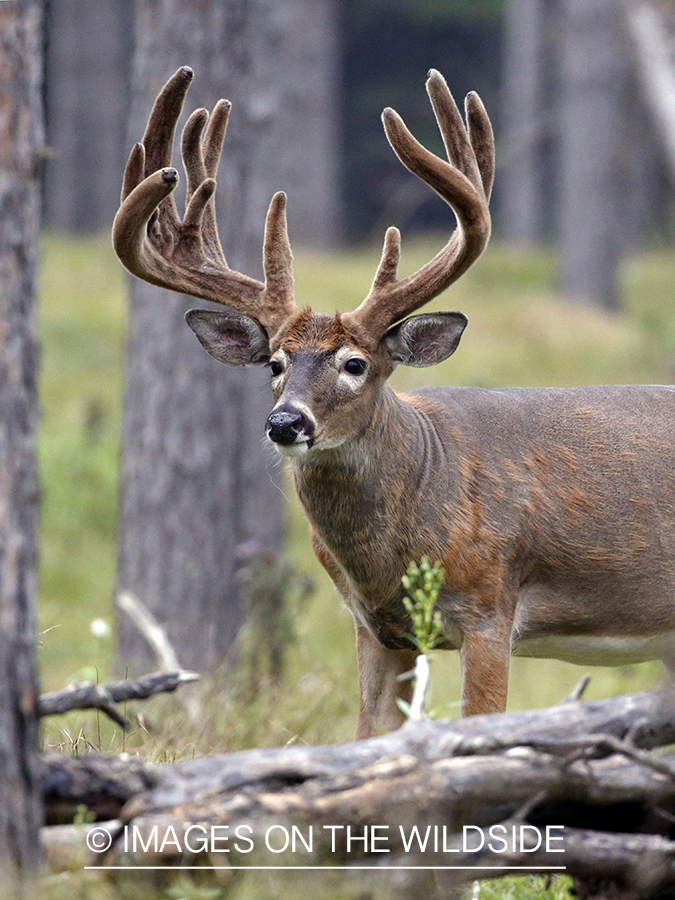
<point x="593" y="77"/>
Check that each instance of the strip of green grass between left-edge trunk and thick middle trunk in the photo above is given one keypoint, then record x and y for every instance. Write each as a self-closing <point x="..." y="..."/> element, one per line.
<point x="82" y="323"/>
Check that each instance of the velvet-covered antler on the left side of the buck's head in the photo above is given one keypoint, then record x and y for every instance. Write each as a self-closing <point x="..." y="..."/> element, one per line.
<point x="186" y="256"/>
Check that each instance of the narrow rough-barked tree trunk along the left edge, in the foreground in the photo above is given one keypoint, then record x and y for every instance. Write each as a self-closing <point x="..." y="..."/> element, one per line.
<point x="21" y="149"/>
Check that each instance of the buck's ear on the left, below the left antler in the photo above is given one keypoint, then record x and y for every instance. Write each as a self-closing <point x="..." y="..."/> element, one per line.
<point x="230" y="337"/>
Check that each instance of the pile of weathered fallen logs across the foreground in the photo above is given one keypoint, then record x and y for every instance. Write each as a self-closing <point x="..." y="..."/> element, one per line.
<point x="580" y="770"/>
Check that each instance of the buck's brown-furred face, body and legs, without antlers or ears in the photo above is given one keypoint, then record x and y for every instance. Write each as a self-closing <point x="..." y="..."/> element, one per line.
<point x="509" y="501"/>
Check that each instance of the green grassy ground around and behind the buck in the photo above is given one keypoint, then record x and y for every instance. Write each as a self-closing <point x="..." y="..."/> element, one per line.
<point x="520" y="333"/>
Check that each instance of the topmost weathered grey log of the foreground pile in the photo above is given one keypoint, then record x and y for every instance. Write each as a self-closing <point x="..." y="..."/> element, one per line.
<point x="644" y="720"/>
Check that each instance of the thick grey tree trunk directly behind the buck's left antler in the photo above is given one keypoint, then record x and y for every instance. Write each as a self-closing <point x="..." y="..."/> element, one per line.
<point x="199" y="496"/>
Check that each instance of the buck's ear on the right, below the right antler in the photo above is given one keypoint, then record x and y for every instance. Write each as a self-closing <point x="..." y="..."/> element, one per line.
<point x="425" y="340"/>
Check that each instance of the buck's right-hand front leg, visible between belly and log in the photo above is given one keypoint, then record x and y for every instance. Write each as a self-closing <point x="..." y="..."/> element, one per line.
<point x="485" y="656"/>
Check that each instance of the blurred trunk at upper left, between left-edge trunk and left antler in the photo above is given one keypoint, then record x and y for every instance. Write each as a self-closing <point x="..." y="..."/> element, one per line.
<point x="88" y="59"/>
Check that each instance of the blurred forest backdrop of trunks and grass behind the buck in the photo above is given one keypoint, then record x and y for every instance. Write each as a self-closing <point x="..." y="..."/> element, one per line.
<point x="136" y="424"/>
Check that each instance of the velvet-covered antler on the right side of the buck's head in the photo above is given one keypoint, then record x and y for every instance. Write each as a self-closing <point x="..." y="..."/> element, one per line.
<point x="464" y="183"/>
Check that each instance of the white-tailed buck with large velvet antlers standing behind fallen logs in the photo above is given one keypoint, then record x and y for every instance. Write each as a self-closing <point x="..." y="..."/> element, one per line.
<point x="551" y="510"/>
